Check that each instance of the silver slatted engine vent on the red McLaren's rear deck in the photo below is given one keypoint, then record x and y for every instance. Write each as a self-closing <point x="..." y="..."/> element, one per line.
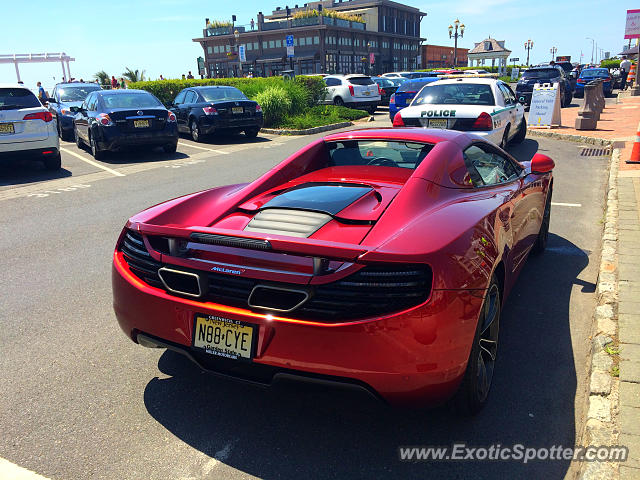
<point x="283" y="221"/>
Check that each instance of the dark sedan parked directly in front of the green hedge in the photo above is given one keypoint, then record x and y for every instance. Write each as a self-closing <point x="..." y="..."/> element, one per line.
<point x="206" y="110"/>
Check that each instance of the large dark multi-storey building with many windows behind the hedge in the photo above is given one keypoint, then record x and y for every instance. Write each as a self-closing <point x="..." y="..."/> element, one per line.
<point x="385" y="37"/>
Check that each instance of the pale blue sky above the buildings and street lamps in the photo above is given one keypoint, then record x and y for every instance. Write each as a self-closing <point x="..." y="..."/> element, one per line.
<point x="156" y="35"/>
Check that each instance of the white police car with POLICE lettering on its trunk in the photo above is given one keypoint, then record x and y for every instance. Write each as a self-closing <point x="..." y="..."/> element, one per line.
<point x="473" y="103"/>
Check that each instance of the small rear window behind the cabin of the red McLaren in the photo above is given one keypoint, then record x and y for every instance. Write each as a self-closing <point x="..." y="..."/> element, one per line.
<point x="377" y="152"/>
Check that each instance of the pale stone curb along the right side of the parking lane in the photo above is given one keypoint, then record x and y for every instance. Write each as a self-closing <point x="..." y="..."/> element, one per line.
<point x="602" y="427"/>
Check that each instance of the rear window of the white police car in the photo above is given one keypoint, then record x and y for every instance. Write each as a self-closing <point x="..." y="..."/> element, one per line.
<point x="455" y="94"/>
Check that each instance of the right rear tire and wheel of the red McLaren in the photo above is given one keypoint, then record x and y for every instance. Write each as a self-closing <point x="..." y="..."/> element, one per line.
<point x="474" y="389"/>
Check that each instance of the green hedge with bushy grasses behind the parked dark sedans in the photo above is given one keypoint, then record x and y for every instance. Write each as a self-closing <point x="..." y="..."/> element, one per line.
<point x="299" y="94"/>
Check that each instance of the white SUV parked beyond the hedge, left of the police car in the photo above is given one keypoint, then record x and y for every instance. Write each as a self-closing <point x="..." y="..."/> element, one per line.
<point x="354" y="91"/>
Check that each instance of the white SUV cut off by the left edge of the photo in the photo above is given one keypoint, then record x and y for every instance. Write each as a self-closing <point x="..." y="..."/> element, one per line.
<point x="27" y="128"/>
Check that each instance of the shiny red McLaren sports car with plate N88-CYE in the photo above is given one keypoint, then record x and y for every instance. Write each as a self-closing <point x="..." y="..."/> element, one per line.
<point x="370" y="259"/>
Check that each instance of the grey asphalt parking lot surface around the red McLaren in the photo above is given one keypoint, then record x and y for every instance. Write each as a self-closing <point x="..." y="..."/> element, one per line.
<point x="80" y="400"/>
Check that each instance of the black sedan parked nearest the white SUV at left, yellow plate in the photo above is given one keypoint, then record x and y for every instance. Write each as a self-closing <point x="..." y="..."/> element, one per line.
<point x="114" y="119"/>
